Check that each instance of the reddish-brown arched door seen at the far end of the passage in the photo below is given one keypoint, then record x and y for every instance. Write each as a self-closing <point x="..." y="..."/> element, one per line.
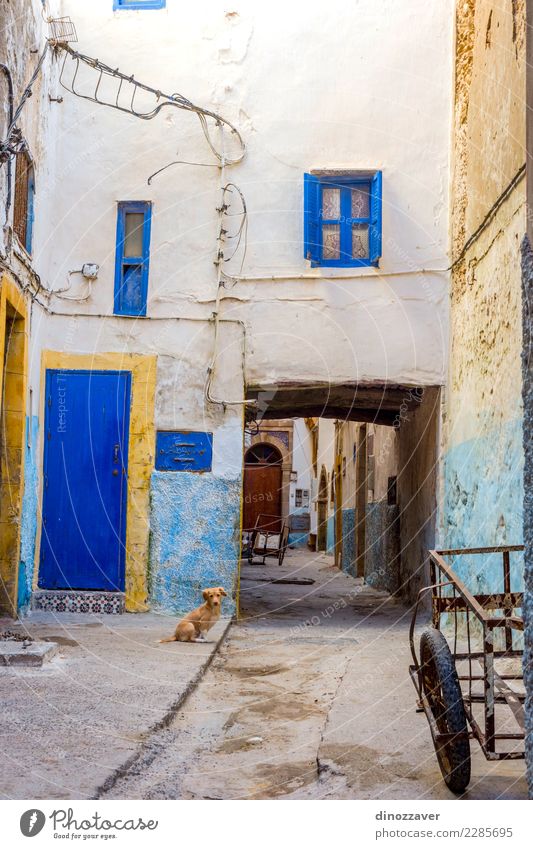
<point x="262" y="486"/>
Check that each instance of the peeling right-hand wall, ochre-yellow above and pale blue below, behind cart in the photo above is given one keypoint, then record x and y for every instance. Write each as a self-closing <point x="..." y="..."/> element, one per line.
<point x="482" y="435"/>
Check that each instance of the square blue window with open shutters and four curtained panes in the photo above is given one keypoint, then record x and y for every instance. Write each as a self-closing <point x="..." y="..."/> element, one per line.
<point x="342" y="219"/>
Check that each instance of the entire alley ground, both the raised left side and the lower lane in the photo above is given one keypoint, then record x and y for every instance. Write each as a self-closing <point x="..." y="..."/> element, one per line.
<point x="309" y="697"/>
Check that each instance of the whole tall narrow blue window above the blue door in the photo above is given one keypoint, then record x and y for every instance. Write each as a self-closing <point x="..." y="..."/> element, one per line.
<point x="132" y="257"/>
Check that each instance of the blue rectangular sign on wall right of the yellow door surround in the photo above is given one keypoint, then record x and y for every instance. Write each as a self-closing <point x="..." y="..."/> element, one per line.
<point x="183" y="451"/>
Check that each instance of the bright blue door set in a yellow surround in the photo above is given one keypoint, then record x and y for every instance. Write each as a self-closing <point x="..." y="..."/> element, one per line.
<point x="85" y="480"/>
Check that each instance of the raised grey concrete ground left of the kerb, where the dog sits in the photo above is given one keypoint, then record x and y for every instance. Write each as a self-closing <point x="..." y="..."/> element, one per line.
<point x="68" y="726"/>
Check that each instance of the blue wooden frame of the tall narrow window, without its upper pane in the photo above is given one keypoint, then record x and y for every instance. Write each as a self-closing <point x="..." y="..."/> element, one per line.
<point x="131" y="273"/>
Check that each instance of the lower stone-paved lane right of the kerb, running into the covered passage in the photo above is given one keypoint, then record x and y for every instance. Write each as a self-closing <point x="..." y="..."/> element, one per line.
<point x="308" y="698"/>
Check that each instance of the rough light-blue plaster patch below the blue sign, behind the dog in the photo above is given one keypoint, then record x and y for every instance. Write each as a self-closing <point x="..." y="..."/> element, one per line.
<point x="195" y="539"/>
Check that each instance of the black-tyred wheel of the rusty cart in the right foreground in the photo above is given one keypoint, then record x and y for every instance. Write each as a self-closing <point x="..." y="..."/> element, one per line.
<point x="443" y="692"/>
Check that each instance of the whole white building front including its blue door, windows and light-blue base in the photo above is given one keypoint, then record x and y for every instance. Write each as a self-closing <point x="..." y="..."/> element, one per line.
<point x="200" y="290"/>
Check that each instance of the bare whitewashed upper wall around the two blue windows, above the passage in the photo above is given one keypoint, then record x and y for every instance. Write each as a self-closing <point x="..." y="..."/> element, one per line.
<point x="364" y="85"/>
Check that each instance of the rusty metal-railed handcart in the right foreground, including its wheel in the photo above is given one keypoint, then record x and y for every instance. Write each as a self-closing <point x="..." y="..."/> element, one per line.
<point x="472" y="681"/>
